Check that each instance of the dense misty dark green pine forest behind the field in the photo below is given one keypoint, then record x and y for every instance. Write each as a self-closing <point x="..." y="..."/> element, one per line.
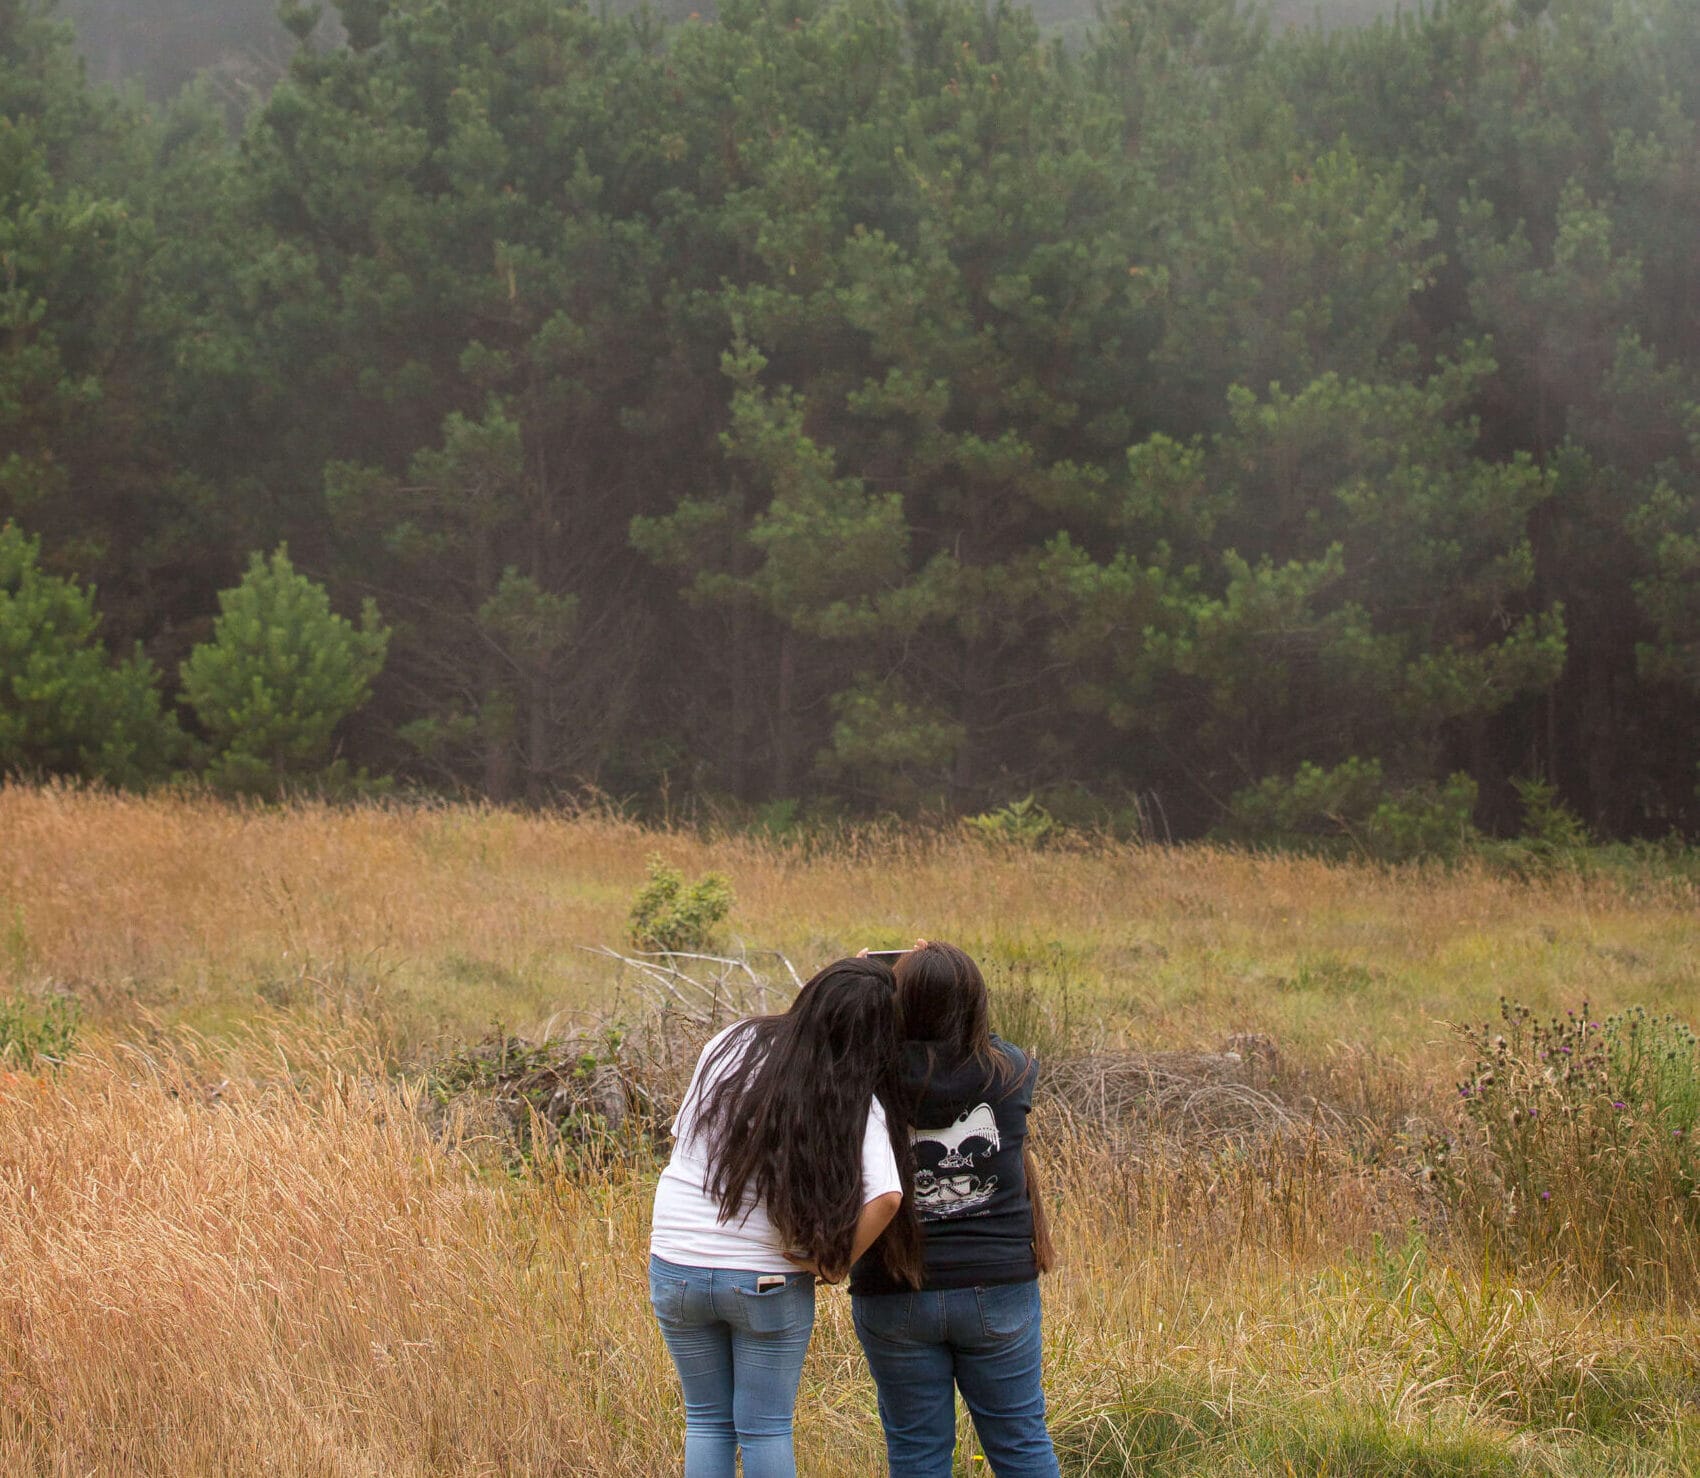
<point x="881" y="406"/>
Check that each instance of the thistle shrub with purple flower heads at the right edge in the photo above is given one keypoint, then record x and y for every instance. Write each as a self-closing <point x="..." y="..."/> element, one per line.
<point x="1587" y="1142"/>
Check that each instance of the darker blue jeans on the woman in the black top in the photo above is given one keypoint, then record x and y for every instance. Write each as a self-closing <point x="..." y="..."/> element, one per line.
<point x="983" y="1341"/>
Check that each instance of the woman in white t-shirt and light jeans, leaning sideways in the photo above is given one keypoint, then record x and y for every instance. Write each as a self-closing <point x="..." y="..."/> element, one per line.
<point x="785" y="1169"/>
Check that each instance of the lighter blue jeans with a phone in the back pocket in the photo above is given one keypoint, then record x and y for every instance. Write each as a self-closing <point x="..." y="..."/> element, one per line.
<point x="740" y="1358"/>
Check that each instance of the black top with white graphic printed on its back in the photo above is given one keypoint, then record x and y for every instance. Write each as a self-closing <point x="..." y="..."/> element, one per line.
<point x="968" y="1132"/>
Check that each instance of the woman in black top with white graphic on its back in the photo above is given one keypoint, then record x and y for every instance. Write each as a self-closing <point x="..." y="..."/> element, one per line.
<point x="973" y="1326"/>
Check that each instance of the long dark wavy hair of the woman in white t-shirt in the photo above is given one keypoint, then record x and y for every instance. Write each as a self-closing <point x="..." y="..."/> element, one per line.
<point x="788" y="1115"/>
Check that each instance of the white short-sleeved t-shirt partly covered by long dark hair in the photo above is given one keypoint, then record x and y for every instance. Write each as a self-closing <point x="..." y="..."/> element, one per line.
<point x="688" y="1225"/>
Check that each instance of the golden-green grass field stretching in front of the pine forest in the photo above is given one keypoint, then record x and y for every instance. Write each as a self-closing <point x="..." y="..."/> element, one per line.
<point x="241" y="1236"/>
